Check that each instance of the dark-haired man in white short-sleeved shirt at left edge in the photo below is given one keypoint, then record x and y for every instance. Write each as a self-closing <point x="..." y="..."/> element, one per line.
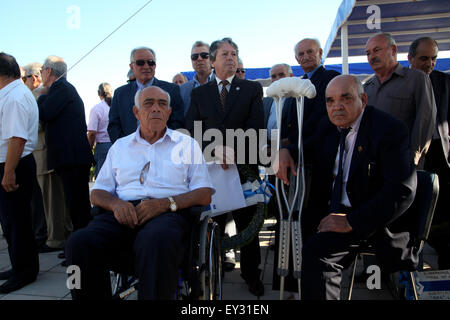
<point x="18" y="138"/>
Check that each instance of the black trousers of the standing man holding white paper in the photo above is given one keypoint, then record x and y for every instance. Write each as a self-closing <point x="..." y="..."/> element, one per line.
<point x="250" y="256"/>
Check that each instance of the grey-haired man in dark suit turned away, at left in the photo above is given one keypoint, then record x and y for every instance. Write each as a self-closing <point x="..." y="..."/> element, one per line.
<point x="62" y="112"/>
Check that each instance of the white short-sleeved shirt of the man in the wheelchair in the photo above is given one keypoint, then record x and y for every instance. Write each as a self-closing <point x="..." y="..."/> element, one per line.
<point x="176" y="166"/>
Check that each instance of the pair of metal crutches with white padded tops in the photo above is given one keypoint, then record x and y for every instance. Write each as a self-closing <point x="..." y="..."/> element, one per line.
<point x="290" y="228"/>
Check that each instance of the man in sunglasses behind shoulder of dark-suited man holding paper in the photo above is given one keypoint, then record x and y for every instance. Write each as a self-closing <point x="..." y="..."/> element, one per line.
<point x="203" y="71"/>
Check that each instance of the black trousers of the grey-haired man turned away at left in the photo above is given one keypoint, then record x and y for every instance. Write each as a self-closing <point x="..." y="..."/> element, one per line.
<point x="75" y="180"/>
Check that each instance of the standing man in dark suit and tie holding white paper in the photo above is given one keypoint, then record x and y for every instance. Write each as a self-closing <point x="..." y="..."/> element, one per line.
<point x="231" y="103"/>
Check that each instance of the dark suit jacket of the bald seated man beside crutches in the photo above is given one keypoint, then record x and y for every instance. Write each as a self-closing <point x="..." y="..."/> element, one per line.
<point x="382" y="180"/>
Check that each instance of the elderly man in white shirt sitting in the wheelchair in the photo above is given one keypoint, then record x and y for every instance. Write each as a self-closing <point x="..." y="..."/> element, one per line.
<point x="143" y="193"/>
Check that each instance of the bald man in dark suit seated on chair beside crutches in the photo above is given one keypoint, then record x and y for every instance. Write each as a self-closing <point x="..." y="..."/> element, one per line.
<point x="363" y="178"/>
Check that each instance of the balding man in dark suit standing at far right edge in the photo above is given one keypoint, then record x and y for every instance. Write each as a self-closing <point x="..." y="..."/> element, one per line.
<point x="422" y="55"/>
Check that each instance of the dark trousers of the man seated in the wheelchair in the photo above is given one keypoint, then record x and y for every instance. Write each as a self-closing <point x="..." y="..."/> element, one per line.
<point x="153" y="252"/>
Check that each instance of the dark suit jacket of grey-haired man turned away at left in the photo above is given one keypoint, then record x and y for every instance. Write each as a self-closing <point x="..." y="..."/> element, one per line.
<point x="63" y="116"/>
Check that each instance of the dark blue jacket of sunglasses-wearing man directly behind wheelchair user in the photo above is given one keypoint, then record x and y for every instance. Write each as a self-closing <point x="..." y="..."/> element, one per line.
<point x="122" y="121"/>
